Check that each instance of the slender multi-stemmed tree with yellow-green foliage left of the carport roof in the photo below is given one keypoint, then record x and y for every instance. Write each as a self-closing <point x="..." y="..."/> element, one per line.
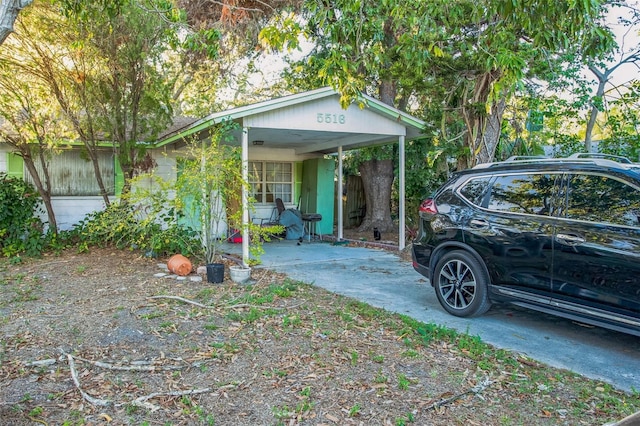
<point x="129" y="96"/>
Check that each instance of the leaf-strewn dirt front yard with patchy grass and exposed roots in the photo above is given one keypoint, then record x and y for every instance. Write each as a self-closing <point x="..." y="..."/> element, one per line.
<point x="100" y="338"/>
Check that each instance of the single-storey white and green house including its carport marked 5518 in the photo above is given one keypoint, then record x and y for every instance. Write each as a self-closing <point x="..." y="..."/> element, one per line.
<point x="284" y="144"/>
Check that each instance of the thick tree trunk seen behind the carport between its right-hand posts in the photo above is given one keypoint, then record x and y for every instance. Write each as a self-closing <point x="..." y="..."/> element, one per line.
<point x="377" y="178"/>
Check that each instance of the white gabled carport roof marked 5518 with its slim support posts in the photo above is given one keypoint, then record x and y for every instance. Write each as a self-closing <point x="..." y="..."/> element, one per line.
<point x="312" y="122"/>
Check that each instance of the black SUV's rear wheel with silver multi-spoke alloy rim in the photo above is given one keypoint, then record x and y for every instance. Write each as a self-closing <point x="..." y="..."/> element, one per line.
<point x="461" y="284"/>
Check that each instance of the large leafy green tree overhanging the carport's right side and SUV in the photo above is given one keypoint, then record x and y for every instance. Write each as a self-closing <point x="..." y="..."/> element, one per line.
<point x="455" y="63"/>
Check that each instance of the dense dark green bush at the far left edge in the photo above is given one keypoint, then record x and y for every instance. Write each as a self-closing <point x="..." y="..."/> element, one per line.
<point x="21" y="230"/>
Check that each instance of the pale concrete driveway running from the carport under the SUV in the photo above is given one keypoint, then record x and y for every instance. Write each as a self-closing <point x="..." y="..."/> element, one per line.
<point x="380" y="278"/>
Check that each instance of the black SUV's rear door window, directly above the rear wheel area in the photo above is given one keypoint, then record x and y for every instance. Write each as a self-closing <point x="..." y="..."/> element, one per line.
<point x="529" y="193"/>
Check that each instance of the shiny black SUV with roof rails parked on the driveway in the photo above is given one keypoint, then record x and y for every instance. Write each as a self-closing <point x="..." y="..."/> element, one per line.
<point x="561" y="236"/>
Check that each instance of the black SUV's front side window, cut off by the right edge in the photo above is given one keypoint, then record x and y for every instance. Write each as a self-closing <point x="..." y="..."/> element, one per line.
<point x="603" y="199"/>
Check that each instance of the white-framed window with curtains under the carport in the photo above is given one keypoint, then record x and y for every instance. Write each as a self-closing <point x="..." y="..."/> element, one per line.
<point x="271" y="180"/>
